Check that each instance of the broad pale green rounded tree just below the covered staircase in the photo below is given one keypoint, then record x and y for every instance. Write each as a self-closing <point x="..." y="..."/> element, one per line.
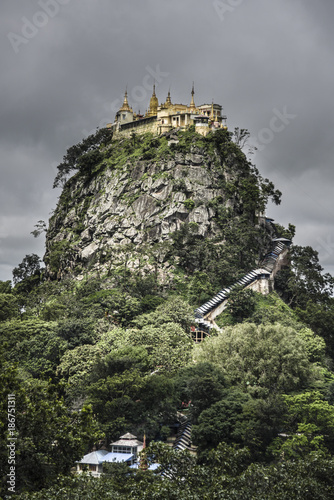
<point x="261" y="359"/>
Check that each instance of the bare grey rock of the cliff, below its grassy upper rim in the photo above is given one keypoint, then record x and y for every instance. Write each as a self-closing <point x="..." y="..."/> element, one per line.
<point x="141" y="203"/>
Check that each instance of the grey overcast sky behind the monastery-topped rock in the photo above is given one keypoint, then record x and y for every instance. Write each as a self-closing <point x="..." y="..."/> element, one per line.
<point x="65" y="65"/>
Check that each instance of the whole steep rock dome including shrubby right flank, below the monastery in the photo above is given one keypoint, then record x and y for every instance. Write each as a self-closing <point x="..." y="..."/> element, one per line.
<point x="147" y="196"/>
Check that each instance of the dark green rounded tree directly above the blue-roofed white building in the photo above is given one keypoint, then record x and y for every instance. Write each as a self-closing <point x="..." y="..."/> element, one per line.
<point x="125" y="393"/>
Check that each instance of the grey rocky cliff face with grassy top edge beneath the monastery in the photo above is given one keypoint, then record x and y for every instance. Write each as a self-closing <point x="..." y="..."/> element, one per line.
<point x="139" y="195"/>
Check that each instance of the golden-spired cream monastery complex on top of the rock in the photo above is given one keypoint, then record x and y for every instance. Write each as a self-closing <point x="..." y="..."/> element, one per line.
<point x="166" y="116"/>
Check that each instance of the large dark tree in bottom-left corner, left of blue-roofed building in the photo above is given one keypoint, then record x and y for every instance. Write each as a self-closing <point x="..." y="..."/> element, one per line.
<point x="49" y="438"/>
